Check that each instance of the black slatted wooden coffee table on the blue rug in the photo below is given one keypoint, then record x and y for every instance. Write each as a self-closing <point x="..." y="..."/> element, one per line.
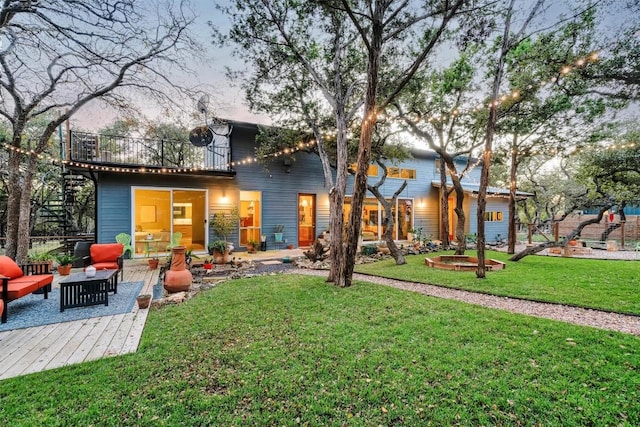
<point x="78" y="290"/>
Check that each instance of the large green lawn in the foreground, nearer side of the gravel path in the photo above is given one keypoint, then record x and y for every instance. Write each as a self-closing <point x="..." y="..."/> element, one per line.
<point x="293" y="350"/>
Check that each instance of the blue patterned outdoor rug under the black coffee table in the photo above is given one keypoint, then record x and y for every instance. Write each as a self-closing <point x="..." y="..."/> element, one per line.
<point x="34" y="310"/>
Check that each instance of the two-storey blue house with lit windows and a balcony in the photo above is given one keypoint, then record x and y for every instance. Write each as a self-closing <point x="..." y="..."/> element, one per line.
<point x="151" y="189"/>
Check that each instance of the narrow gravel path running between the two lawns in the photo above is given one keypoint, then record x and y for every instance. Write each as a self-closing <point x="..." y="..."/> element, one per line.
<point x="580" y="316"/>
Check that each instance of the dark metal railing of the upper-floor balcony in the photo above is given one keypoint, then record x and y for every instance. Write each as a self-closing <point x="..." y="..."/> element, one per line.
<point x="98" y="149"/>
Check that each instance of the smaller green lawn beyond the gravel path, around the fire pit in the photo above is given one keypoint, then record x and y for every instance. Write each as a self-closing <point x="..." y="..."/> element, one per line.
<point x="601" y="284"/>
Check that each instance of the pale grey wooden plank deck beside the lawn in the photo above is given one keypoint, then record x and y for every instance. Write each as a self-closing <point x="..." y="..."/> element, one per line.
<point x="51" y="346"/>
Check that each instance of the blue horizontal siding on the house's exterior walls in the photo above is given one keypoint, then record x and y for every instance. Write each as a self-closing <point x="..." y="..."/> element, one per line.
<point x="280" y="187"/>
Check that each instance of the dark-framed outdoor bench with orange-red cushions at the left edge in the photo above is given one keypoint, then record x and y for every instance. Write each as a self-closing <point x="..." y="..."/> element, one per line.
<point x="18" y="281"/>
